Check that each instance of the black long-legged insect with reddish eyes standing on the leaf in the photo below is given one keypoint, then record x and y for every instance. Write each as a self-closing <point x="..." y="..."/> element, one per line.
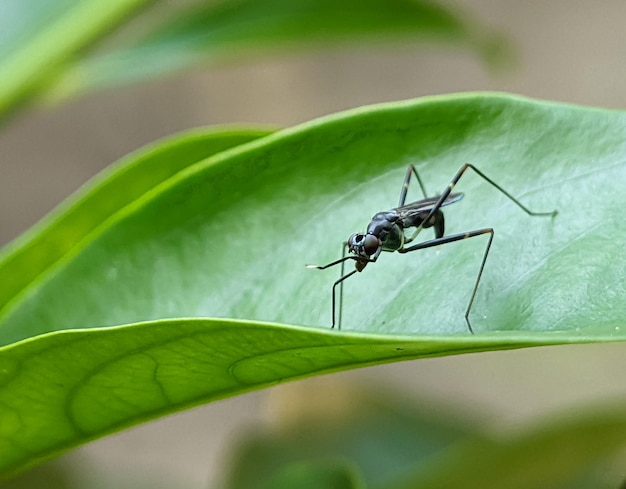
<point x="386" y="232"/>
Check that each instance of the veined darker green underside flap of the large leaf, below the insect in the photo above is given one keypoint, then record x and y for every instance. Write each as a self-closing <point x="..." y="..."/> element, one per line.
<point x="66" y="388"/>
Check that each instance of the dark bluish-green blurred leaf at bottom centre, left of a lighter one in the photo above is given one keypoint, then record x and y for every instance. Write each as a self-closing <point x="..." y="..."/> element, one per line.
<point x="382" y="435"/>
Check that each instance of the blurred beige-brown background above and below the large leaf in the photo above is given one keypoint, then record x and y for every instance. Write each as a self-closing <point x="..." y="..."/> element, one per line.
<point x="564" y="50"/>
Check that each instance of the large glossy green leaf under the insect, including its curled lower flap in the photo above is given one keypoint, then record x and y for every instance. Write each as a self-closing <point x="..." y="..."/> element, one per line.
<point x="228" y="237"/>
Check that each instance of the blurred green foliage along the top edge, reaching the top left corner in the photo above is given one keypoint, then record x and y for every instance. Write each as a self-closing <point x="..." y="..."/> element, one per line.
<point x="46" y="47"/>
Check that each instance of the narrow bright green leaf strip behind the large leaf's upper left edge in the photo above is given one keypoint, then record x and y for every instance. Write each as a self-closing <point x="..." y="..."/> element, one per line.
<point x="109" y="193"/>
